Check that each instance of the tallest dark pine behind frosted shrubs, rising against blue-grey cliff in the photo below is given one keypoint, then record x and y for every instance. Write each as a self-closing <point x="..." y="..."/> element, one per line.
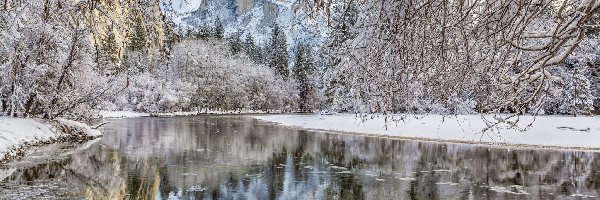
<point x="278" y="59"/>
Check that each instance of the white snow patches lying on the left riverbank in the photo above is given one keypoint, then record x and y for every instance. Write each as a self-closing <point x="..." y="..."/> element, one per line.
<point x="15" y="132"/>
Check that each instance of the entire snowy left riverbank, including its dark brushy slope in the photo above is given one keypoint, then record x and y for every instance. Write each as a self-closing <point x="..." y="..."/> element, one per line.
<point x="17" y="134"/>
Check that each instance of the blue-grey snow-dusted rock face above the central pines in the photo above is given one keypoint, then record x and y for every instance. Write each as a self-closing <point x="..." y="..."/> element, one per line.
<point x="258" y="17"/>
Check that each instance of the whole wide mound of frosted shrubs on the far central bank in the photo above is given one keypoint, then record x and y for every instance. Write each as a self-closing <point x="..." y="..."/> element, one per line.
<point x="201" y="74"/>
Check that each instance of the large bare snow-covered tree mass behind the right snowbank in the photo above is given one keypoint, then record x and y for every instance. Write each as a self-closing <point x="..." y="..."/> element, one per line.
<point x="450" y="57"/>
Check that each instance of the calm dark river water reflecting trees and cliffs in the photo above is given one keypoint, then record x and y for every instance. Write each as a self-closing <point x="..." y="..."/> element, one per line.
<point x="236" y="157"/>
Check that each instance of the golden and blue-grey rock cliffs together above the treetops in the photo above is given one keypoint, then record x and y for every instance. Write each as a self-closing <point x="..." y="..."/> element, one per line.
<point x="256" y="17"/>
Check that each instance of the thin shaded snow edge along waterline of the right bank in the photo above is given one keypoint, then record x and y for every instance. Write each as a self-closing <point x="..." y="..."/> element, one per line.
<point x="508" y="146"/>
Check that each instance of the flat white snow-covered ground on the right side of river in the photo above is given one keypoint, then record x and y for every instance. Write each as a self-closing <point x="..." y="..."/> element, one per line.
<point x="546" y="131"/>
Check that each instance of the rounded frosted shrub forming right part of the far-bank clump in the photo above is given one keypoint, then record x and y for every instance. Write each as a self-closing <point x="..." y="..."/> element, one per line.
<point x="232" y="83"/>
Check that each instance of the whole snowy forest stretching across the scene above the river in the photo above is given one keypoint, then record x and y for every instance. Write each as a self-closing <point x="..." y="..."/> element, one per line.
<point x="63" y="58"/>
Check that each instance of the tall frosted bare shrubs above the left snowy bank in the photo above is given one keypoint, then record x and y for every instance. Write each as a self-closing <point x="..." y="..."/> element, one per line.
<point x="47" y="66"/>
